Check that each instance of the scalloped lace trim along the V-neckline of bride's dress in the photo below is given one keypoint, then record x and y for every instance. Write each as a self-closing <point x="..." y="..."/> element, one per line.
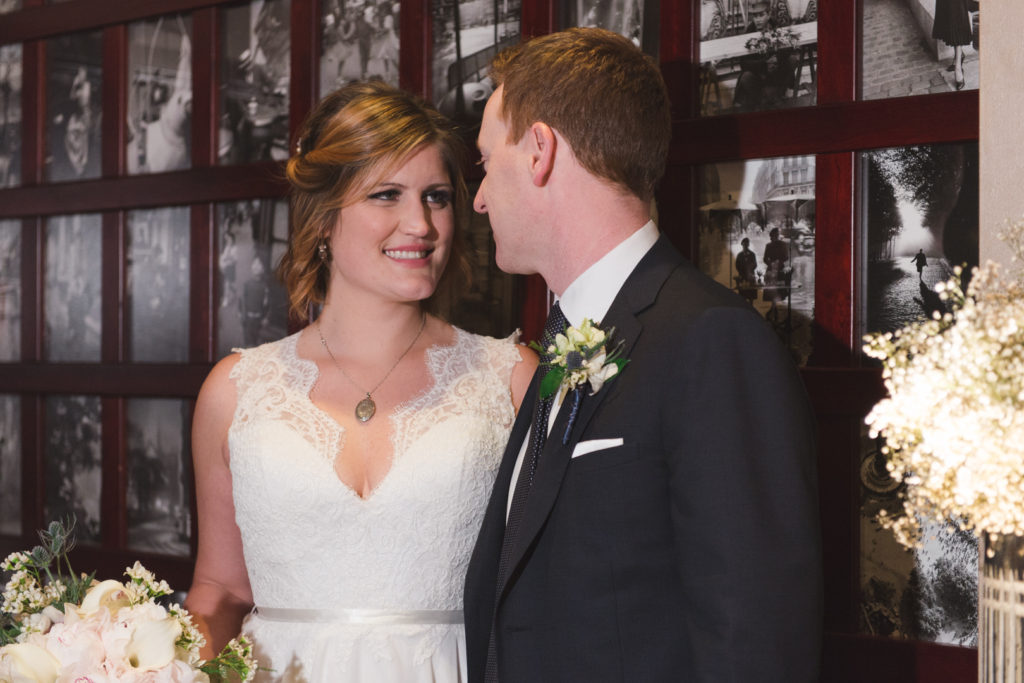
<point x="435" y="358"/>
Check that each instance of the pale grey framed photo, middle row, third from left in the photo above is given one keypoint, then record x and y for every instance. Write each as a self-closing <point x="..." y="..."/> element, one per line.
<point x="158" y="285"/>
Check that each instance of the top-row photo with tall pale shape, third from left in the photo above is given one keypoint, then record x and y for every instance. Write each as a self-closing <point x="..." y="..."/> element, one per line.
<point x="159" y="95"/>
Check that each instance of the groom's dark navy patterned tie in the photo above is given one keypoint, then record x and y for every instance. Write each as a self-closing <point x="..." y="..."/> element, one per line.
<point x="538" y="434"/>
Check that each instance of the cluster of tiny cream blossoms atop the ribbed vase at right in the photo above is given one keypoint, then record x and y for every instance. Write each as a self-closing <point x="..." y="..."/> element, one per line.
<point x="954" y="419"/>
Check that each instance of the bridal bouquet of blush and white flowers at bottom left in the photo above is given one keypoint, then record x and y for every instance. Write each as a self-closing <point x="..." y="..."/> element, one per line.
<point x="68" y="627"/>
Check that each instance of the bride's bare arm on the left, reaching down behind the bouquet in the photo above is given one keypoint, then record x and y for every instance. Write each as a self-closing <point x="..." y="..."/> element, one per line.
<point x="220" y="596"/>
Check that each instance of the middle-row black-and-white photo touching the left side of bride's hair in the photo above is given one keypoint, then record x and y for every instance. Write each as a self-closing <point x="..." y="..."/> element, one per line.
<point x="253" y="305"/>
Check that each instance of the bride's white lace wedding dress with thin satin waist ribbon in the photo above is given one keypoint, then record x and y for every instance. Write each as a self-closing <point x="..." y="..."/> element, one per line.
<point x="353" y="589"/>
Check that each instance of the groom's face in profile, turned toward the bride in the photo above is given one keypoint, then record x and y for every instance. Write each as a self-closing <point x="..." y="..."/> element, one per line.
<point x="505" y="192"/>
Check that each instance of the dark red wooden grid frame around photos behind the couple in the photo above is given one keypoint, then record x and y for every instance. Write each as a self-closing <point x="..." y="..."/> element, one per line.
<point x="836" y="131"/>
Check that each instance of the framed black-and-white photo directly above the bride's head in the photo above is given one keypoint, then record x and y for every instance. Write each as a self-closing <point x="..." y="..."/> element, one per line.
<point x="360" y="41"/>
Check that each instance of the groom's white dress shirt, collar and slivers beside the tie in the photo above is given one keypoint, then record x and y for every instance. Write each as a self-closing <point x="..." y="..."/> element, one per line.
<point x="591" y="295"/>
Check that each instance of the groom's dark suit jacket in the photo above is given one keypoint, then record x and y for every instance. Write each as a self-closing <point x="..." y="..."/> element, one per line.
<point x="692" y="552"/>
